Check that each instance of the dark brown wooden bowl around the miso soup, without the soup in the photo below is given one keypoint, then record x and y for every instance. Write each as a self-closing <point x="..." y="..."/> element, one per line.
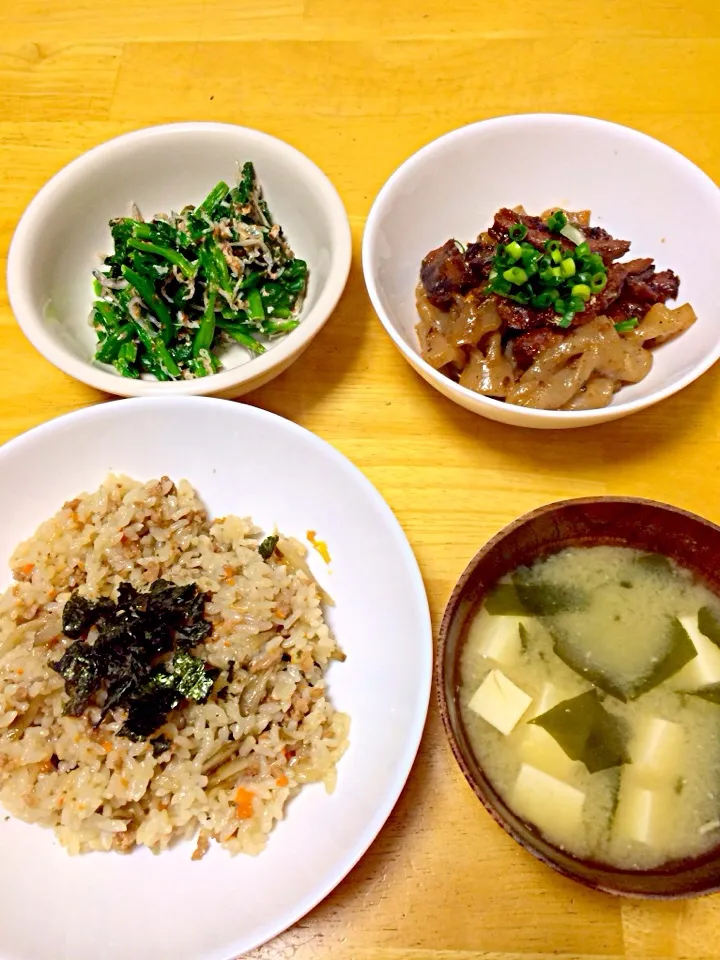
<point x="692" y="542"/>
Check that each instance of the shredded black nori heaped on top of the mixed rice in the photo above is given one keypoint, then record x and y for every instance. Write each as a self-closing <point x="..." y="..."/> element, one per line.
<point x="129" y="660"/>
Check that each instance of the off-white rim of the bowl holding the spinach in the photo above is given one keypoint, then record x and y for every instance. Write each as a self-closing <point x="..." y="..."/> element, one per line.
<point x="19" y="283"/>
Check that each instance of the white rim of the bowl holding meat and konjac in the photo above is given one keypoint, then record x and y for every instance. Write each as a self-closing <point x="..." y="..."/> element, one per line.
<point x="430" y="373"/>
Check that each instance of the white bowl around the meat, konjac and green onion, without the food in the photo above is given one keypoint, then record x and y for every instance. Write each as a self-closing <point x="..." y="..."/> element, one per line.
<point x="637" y="188"/>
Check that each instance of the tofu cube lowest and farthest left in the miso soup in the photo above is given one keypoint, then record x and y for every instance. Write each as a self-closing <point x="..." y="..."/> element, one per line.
<point x="551" y="804"/>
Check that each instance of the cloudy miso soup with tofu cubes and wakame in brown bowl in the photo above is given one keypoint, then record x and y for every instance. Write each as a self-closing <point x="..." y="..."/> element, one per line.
<point x="590" y="691"/>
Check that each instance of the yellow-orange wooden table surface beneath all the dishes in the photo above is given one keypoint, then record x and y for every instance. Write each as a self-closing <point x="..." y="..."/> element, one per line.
<point x="358" y="85"/>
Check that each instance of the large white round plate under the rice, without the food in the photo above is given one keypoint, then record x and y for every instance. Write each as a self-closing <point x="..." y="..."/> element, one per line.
<point x="249" y="462"/>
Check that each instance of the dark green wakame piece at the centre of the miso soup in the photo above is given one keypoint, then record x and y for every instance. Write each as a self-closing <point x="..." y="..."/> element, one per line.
<point x="586" y="731"/>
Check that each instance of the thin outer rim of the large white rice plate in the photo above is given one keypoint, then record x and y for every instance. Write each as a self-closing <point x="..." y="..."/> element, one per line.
<point x="136" y="406"/>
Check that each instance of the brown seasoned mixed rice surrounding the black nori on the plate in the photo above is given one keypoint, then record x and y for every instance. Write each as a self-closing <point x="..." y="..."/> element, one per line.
<point x="234" y="761"/>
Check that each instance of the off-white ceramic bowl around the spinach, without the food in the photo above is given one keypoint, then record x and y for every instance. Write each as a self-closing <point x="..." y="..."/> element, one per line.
<point x="64" y="234"/>
